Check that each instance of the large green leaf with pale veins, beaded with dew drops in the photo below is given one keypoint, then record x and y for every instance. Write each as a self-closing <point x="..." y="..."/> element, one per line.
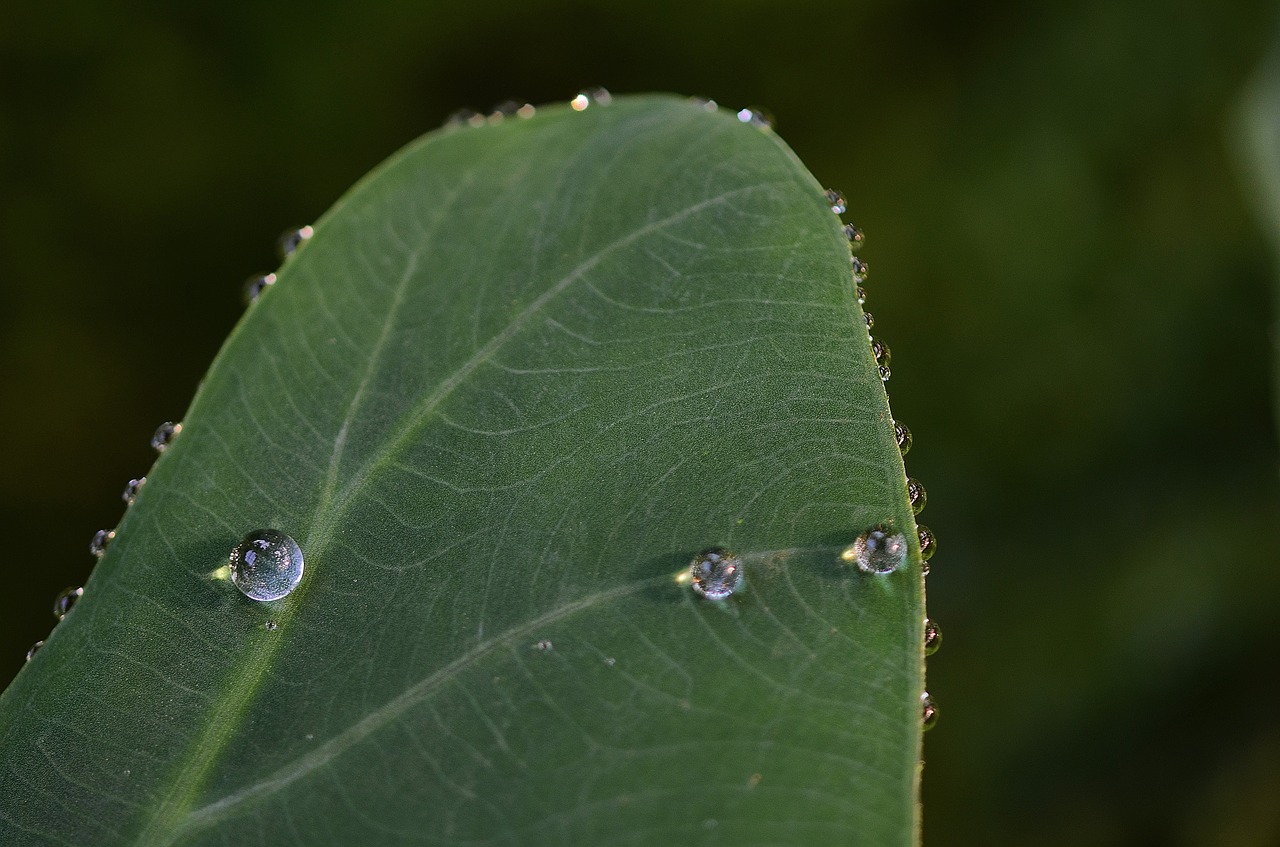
<point x="518" y="379"/>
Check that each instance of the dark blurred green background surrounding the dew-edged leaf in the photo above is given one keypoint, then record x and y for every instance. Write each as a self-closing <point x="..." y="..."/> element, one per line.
<point x="1078" y="299"/>
